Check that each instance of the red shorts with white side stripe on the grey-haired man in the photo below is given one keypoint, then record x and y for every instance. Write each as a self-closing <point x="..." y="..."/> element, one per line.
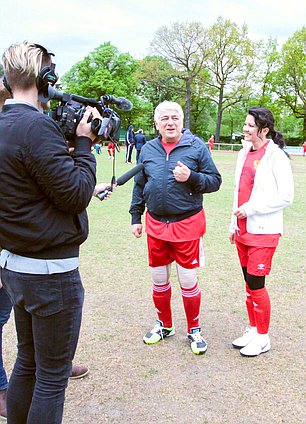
<point x="188" y="254"/>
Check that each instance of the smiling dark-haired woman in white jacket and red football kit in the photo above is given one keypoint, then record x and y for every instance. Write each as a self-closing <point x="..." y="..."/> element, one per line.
<point x="263" y="188"/>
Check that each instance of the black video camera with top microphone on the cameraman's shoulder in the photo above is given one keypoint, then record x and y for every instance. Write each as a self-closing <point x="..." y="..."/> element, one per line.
<point x="72" y="108"/>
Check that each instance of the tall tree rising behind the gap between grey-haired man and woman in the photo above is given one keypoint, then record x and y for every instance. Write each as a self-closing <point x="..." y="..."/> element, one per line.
<point x="230" y="64"/>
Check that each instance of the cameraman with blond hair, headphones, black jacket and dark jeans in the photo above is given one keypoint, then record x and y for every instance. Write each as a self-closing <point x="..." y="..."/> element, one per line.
<point x="44" y="192"/>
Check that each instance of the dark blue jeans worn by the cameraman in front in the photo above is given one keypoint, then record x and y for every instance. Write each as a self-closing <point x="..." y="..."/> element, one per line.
<point x="48" y="313"/>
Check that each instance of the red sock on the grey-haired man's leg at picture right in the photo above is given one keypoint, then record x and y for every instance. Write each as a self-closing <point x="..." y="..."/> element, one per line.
<point x="192" y="303"/>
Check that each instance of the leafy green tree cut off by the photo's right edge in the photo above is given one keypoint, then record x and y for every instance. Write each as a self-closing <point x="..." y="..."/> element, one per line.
<point x="289" y="81"/>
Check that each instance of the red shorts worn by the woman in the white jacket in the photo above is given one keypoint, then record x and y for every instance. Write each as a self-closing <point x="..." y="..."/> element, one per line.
<point x="257" y="260"/>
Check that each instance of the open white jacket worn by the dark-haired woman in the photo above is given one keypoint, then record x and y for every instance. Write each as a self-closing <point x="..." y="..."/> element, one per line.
<point x="273" y="190"/>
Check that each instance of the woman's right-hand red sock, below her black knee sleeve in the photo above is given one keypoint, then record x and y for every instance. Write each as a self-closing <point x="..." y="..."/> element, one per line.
<point x="262" y="309"/>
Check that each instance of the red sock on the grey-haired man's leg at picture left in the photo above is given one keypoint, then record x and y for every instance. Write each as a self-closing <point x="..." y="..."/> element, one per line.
<point x="162" y="302"/>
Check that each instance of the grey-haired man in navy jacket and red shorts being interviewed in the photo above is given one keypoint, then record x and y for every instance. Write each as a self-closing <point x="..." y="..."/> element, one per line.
<point x="178" y="170"/>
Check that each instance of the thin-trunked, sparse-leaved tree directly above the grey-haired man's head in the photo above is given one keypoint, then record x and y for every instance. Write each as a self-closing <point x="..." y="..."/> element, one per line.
<point x="183" y="44"/>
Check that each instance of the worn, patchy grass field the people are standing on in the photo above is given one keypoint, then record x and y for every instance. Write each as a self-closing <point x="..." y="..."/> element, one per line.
<point x="130" y="382"/>
